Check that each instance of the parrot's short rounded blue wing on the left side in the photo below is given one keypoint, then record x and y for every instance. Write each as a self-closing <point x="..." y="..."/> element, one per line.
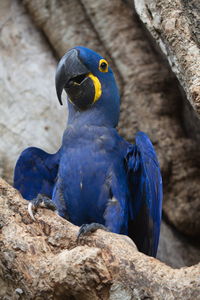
<point x="35" y="172"/>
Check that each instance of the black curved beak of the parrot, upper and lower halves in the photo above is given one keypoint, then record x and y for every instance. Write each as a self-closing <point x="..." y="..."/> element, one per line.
<point x="71" y="75"/>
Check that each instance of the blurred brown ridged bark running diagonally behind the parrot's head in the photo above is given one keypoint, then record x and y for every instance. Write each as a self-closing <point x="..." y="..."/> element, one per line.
<point x="150" y="93"/>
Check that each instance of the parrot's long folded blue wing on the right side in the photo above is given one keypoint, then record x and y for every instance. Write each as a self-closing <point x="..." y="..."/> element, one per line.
<point x="145" y="184"/>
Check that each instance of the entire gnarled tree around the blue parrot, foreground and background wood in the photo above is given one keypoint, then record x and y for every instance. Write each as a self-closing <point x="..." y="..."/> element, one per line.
<point x="42" y="259"/>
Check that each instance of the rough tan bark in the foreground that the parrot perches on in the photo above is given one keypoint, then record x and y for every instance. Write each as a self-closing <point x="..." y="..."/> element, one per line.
<point x="42" y="260"/>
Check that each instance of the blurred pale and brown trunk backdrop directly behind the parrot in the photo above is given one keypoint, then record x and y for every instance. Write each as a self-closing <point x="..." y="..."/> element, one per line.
<point x="35" y="34"/>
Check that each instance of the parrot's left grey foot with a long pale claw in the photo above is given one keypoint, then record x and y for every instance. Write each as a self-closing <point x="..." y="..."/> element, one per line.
<point x="40" y="200"/>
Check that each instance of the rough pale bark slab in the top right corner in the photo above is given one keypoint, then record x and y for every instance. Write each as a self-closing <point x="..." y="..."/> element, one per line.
<point x="175" y="27"/>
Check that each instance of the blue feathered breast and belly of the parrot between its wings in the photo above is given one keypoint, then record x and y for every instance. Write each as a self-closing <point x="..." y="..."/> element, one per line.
<point x="84" y="169"/>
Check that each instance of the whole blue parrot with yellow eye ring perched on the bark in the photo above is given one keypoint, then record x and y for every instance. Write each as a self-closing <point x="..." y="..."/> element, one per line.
<point x="96" y="177"/>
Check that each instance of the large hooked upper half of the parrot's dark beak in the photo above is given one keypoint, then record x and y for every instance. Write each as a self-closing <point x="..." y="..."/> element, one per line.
<point x="70" y="72"/>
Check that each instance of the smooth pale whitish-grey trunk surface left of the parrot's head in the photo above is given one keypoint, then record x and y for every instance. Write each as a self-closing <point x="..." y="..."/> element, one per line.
<point x="30" y="114"/>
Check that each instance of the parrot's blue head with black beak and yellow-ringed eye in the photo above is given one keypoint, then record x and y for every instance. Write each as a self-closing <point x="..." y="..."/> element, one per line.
<point x="89" y="83"/>
